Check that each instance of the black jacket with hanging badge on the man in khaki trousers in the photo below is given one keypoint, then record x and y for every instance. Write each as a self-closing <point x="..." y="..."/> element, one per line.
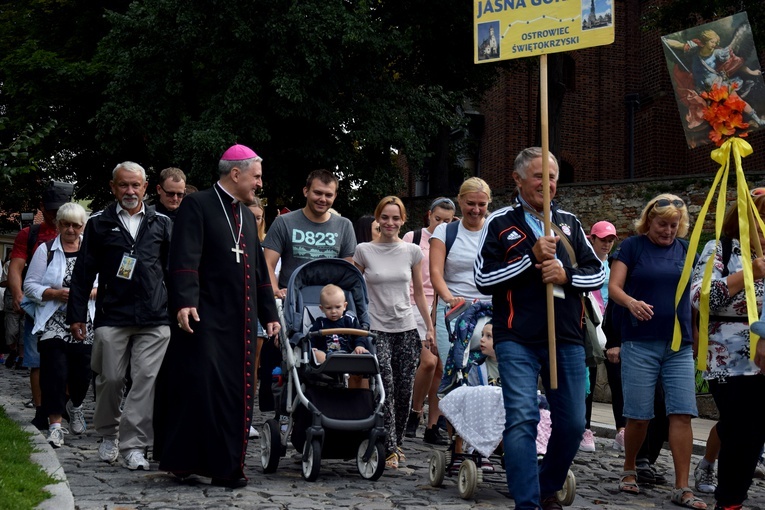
<point x="140" y="301"/>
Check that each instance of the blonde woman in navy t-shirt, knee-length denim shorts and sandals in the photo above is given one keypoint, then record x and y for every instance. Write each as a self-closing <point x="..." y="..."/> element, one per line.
<point x="644" y="278"/>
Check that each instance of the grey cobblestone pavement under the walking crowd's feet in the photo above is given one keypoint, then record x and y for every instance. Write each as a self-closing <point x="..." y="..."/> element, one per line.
<point x="98" y="485"/>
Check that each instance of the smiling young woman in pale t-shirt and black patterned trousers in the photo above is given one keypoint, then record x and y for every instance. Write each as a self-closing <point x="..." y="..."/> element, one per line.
<point x="389" y="265"/>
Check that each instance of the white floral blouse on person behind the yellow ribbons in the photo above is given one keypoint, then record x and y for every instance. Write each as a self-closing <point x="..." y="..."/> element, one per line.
<point x="728" y="349"/>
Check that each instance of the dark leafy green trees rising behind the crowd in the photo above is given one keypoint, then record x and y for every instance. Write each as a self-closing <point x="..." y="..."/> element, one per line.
<point x="344" y="85"/>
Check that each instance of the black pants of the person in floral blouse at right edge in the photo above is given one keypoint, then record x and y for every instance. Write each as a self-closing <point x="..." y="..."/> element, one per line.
<point x="741" y="428"/>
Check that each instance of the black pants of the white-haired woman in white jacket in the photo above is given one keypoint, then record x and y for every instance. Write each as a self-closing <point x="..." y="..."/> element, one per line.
<point x="63" y="365"/>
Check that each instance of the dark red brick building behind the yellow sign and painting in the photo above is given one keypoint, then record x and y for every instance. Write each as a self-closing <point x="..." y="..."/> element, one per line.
<point x="618" y="101"/>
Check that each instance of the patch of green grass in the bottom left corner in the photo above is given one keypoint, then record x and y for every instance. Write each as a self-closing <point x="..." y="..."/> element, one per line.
<point x="21" y="480"/>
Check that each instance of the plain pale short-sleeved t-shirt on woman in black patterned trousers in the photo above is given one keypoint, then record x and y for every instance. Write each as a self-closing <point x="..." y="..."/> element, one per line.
<point x="388" y="271"/>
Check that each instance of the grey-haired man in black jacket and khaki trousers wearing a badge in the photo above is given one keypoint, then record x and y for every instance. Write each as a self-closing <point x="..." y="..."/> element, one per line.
<point x="127" y="246"/>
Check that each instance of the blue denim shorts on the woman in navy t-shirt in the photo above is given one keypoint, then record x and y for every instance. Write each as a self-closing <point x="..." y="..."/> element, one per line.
<point x="644" y="363"/>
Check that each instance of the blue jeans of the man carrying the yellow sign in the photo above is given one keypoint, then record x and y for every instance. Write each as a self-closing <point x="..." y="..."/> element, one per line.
<point x="519" y="369"/>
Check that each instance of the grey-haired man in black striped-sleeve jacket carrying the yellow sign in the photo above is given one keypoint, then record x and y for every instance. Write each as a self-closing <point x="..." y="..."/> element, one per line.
<point x="516" y="260"/>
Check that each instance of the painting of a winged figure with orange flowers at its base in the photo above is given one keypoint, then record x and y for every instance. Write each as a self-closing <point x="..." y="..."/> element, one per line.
<point x="714" y="69"/>
